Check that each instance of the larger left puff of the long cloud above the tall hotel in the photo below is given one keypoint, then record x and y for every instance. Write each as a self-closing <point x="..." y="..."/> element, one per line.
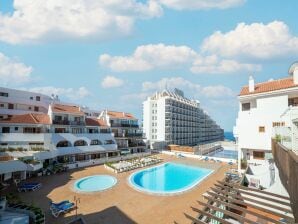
<point x="148" y="57"/>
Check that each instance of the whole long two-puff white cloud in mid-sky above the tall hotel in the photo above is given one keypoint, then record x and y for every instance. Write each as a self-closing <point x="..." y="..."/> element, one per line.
<point x="160" y="56"/>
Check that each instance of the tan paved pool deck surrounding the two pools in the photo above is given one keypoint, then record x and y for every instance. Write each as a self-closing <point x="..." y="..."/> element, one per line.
<point x="121" y="204"/>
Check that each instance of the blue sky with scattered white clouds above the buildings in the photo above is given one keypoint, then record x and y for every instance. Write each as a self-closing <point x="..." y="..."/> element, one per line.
<point x="113" y="54"/>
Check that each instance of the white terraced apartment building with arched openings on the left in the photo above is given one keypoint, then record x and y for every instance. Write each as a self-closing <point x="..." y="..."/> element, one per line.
<point x="54" y="133"/>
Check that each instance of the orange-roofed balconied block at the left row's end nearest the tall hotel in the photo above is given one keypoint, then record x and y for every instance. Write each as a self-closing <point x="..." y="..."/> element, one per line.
<point x="126" y="131"/>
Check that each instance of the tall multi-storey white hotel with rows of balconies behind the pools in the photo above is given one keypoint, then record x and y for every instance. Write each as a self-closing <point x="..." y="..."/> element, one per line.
<point x="171" y="118"/>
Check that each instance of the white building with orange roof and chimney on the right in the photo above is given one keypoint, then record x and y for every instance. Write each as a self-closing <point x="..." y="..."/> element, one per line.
<point x="264" y="109"/>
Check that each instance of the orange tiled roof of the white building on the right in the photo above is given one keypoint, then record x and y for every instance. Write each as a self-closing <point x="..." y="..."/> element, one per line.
<point x="269" y="86"/>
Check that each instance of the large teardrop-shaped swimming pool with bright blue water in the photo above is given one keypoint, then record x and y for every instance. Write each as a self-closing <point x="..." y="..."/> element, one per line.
<point x="168" y="178"/>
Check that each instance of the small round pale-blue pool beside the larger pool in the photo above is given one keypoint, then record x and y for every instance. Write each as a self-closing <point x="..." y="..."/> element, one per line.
<point x="95" y="183"/>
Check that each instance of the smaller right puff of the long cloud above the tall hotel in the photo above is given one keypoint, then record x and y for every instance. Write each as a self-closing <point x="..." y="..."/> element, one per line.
<point x="213" y="65"/>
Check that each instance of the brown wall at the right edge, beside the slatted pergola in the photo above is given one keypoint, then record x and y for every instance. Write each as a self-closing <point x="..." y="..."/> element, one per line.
<point x="287" y="164"/>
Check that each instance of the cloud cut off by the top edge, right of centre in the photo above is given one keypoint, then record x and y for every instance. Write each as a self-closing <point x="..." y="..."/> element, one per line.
<point x="201" y="4"/>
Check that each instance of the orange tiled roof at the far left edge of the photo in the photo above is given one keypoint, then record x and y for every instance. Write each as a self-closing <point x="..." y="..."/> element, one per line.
<point x="28" y="119"/>
